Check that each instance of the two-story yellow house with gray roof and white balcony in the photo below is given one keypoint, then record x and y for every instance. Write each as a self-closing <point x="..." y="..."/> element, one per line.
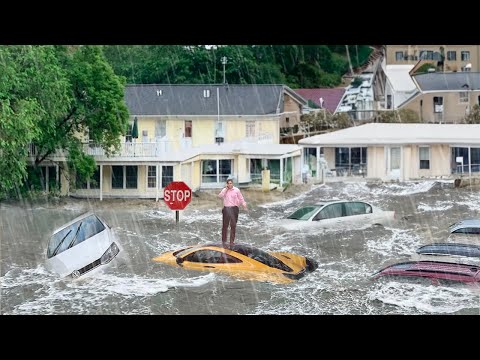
<point x="199" y="134"/>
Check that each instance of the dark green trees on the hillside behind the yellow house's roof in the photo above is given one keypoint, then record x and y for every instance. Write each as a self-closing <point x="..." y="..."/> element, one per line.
<point x="295" y="65"/>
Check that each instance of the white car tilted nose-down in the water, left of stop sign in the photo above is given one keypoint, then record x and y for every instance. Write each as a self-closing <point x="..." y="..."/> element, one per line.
<point x="84" y="245"/>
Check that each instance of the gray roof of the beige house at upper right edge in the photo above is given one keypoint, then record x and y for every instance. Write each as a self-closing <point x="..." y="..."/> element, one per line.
<point x="438" y="81"/>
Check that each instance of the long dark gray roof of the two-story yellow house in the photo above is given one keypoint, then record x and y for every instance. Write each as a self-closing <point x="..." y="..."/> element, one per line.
<point x="167" y="99"/>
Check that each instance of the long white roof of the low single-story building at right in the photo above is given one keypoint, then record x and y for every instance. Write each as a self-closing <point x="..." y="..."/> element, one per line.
<point x="390" y="133"/>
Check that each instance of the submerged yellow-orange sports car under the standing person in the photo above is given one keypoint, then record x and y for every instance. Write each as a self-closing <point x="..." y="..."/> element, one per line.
<point x="243" y="261"/>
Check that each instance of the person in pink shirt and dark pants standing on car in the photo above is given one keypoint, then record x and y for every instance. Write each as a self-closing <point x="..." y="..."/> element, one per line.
<point x="232" y="199"/>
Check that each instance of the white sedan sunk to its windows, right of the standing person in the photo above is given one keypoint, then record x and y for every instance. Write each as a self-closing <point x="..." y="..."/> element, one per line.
<point x="337" y="214"/>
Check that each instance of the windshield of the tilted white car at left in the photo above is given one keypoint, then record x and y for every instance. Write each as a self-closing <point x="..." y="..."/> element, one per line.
<point x="74" y="234"/>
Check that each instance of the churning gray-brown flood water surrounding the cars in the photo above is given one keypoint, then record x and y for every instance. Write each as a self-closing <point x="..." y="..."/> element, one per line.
<point x="341" y="285"/>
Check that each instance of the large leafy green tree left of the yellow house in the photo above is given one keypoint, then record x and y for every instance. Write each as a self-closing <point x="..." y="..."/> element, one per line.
<point x="55" y="94"/>
